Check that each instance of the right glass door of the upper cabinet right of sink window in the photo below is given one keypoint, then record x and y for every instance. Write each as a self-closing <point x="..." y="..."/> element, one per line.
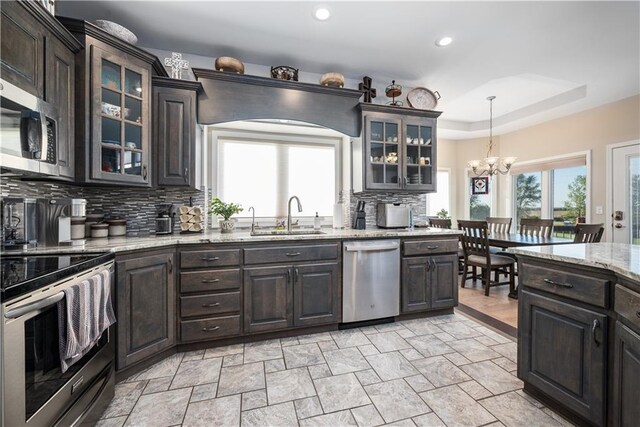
<point x="419" y="156"/>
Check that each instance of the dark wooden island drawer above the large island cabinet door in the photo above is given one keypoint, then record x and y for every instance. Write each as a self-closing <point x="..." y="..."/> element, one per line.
<point x="587" y="289"/>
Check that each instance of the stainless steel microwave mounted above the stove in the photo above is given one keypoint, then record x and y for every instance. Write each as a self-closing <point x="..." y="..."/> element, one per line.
<point x="28" y="132"/>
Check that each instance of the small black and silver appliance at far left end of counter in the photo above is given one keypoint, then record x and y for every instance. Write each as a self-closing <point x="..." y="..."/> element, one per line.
<point x="19" y="223"/>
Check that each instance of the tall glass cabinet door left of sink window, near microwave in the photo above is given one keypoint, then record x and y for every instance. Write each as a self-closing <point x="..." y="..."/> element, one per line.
<point x="119" y="119"/>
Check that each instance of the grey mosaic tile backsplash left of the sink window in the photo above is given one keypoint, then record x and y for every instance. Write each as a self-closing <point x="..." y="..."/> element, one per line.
<point x="137" y="205"/>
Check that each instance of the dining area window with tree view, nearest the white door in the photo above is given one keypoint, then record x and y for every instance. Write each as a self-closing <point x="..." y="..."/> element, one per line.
<point x="552" y="189"/>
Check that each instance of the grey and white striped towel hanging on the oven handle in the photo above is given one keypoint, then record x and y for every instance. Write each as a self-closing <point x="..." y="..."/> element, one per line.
<point x="83" y="315"/>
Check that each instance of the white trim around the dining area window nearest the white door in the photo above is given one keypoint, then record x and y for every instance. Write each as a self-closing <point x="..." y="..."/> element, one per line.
<point x="547" y="184"/>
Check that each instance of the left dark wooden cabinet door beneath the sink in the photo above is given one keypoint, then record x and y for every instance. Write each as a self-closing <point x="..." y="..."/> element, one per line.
<point x="268" y="298"/>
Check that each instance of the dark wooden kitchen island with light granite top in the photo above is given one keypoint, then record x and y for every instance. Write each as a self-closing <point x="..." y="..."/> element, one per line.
<point x="579" y="330"/>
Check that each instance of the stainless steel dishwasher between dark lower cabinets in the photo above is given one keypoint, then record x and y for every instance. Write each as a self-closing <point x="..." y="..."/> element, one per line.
<point x="371" y="280"/>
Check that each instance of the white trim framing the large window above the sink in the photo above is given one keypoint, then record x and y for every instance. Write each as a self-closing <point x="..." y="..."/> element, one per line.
<point x="322" y="137"/>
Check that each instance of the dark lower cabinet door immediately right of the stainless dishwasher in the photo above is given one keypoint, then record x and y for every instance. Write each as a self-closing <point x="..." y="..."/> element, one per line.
<point x="415" y="292"/>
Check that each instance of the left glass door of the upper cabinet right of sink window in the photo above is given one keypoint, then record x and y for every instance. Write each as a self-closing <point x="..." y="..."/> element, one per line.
<point x="383" y="153"/>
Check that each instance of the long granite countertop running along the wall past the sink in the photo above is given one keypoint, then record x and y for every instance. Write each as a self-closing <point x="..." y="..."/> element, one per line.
<point x="122" y="244"/>
